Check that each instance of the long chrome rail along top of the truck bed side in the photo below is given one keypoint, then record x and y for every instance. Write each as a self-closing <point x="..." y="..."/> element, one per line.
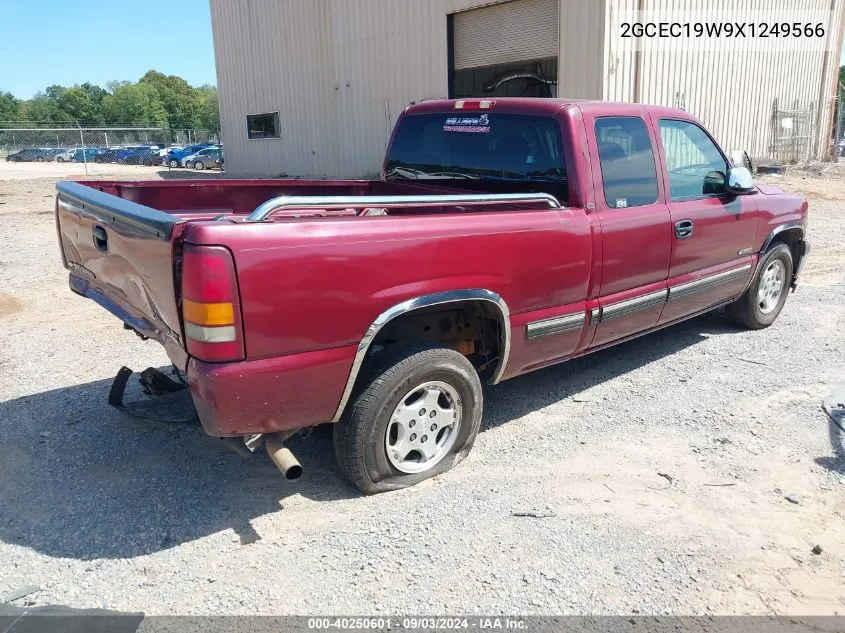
<point x="266" y="209"/>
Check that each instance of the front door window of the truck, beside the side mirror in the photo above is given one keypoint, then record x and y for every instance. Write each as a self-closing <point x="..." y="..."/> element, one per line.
<point x="696" y="166"/>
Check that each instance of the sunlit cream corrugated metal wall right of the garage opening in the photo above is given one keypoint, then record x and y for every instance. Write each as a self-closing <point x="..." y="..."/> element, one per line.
<point x="732" y="92"/>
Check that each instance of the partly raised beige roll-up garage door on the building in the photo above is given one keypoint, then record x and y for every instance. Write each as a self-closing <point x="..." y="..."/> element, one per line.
<point x="508" y="32"/>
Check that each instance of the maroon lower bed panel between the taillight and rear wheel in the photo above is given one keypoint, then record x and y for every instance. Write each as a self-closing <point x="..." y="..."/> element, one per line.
<point x="269" y="394"/>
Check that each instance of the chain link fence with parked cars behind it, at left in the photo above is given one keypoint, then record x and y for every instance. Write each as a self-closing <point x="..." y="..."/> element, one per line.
<point x="139" y="144"/>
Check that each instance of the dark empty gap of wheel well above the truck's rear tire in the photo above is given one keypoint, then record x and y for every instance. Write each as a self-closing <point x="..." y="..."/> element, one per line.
<point x="474" y="328"/>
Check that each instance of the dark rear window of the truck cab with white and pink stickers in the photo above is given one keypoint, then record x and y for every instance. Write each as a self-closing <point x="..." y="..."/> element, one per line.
<point x="468" y="146"/>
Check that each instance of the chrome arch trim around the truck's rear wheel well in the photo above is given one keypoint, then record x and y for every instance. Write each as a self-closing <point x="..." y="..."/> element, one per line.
<point x="425" y="301"/>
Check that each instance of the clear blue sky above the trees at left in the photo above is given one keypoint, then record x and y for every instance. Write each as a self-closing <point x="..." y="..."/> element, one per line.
<point x="47" y="42"/>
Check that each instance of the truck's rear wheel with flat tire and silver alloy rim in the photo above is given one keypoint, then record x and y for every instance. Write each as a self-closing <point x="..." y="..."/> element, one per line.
<point x="416" y="416"/>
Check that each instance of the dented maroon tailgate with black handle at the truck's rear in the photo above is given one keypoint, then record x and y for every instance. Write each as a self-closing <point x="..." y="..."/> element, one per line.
<point x="122" y="255"/>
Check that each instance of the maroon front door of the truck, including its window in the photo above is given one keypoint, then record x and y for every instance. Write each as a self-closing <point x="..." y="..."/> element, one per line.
<point x="713" y="232"/>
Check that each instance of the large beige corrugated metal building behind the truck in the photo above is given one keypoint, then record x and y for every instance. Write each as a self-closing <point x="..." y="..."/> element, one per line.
<point x="313" y="87"/>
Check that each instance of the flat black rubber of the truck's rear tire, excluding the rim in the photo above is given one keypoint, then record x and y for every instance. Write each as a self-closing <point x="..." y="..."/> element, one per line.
<point x="359" y="437"/>
